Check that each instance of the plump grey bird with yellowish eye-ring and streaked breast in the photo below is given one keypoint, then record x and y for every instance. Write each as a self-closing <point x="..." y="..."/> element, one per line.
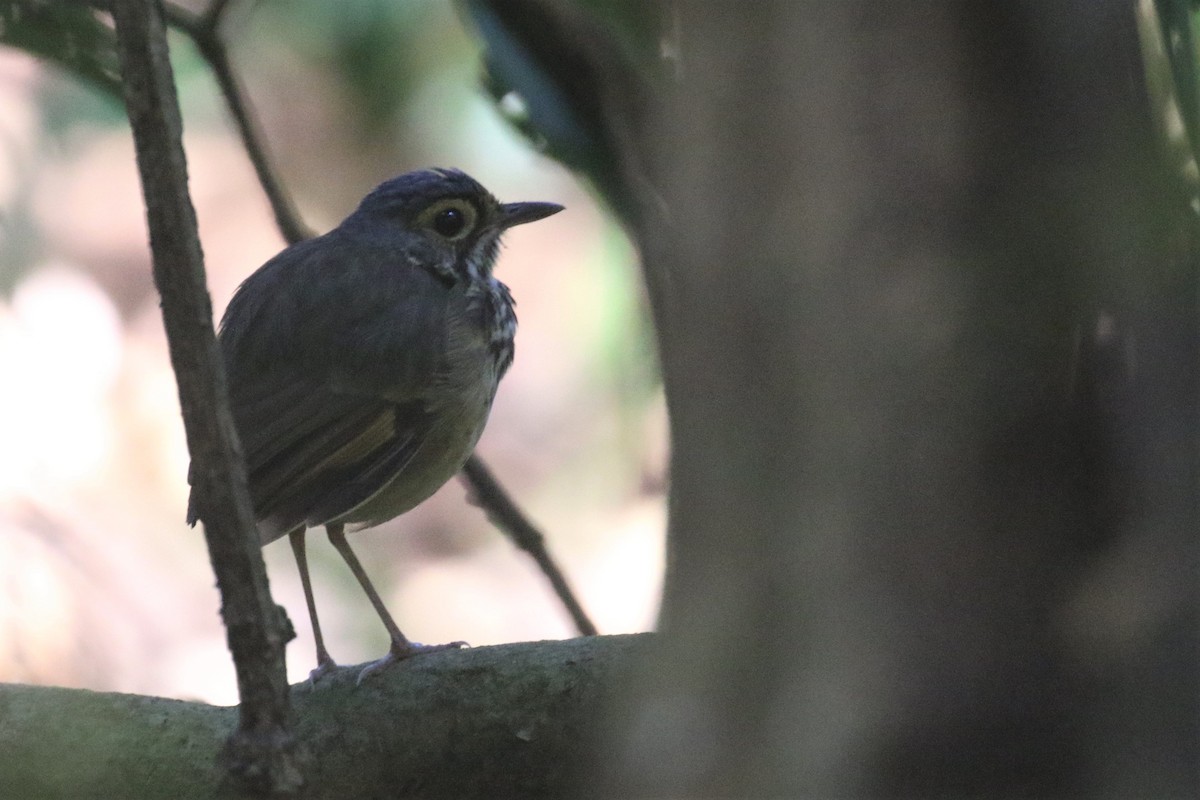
<point x="363" y="365"/>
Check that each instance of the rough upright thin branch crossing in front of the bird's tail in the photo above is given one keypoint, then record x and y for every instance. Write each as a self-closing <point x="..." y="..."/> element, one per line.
<point x="260" y="756"/>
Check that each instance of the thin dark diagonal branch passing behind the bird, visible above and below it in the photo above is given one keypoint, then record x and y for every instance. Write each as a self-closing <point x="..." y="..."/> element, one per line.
<point x="491" y="497"/>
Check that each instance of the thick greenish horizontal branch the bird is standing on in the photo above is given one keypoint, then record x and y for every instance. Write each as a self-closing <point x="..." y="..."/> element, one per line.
<point x="488" y="723"/>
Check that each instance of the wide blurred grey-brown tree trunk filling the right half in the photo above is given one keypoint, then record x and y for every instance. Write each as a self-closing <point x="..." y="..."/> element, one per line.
<point x="928" y="326"/>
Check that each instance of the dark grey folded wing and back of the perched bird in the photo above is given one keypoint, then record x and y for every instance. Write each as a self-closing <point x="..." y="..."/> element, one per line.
<point x="332" y="353"/>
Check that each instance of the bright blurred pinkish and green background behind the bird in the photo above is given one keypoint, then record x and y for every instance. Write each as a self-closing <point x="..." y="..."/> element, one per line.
<point x="103" y="586"/>
